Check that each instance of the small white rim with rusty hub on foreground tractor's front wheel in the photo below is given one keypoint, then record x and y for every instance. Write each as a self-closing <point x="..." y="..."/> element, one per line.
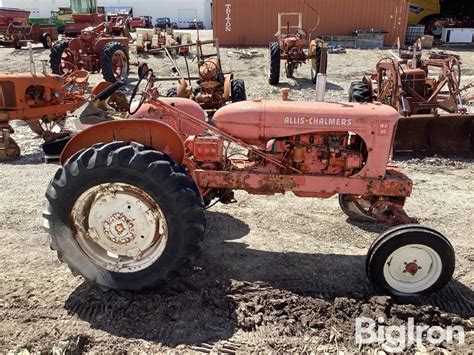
<point x="412" y="268"/>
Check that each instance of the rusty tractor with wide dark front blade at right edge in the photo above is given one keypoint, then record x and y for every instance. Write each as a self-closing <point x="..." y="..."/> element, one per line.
<point x="421" y="88"/>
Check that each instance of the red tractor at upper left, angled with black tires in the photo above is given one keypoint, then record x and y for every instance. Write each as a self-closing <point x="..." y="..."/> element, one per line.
<point x="95" y="49"/>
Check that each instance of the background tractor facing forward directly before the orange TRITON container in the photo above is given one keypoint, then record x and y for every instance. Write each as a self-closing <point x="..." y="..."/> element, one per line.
<point x="296" y="47"/>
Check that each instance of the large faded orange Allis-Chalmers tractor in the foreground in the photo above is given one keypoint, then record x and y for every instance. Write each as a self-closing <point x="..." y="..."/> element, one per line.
<point x="126" y="208"/>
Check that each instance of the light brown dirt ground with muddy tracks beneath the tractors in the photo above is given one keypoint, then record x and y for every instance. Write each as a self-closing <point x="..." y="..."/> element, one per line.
<point x="277" y="273"/>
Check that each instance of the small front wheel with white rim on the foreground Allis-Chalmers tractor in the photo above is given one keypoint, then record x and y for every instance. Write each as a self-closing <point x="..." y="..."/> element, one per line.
<point x="410" y="260"/>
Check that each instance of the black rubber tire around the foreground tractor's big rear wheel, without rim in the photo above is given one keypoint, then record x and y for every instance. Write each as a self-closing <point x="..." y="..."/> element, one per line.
<point x="153" y="167"/>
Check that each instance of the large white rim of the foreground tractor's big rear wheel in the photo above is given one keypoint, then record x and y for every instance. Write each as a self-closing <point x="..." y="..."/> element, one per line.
<point x="119" y="227"/>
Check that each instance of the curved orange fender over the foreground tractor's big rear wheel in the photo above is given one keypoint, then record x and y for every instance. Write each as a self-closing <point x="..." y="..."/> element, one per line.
<point x="150" y="133"/>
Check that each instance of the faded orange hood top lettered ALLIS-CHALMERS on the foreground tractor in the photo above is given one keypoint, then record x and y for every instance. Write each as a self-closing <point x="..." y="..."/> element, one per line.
<point x="256" y="122"/>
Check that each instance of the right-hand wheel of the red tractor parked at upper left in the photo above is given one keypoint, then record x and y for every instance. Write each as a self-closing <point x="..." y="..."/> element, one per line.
<point x="114" y="62"/>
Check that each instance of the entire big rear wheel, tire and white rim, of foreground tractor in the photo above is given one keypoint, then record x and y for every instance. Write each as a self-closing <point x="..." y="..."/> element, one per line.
<point x="122" y="216"/>
